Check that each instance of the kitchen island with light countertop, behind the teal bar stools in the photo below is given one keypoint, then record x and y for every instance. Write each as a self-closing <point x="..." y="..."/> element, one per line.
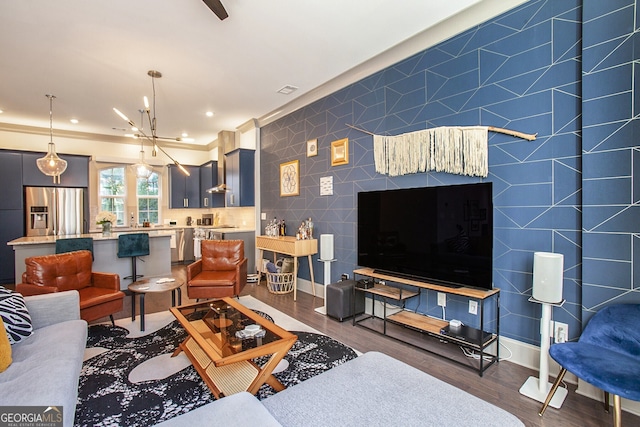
<point x="105" y="250"/>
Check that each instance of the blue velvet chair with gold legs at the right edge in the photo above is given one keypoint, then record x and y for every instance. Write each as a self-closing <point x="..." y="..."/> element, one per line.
<point x="607" y="356"/>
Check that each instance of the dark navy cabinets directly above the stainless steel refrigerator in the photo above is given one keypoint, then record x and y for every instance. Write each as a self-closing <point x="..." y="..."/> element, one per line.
<point x="76" y="175"/>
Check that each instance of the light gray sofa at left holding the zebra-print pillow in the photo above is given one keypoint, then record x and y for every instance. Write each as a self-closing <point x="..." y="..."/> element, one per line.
<point x="46" y="366"/>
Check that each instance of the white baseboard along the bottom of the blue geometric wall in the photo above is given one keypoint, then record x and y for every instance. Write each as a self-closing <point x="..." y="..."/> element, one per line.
<point x="511" y="350"/>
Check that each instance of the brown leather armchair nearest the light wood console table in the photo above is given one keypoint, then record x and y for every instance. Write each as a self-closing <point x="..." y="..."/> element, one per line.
<point x="221" y="272"/>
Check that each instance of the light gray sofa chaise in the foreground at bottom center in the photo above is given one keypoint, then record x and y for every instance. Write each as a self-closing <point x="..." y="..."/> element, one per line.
<point x="371" y="390"/>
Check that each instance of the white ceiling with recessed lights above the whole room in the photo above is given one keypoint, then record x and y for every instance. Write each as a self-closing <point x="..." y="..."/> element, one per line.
<point x="94" y="55"/>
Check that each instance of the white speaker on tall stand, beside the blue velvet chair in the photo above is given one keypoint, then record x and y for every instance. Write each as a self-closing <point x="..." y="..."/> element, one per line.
<point x="547" y="277"/>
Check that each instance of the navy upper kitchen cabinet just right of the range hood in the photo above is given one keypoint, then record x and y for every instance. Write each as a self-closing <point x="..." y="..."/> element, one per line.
<point x="240" y="171"/>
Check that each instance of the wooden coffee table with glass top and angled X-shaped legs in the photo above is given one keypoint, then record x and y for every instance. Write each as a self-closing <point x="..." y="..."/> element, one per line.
<point x="223" y="338"/>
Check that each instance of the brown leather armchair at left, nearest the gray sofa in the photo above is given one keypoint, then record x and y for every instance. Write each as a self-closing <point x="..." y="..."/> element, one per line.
<point x="100" y="294"/>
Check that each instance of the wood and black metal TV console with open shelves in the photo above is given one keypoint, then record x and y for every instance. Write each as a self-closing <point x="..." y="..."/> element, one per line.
<point x="485" y="349"/>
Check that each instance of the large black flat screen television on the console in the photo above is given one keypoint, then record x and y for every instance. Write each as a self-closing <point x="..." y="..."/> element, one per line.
<point x="441" y="234"/>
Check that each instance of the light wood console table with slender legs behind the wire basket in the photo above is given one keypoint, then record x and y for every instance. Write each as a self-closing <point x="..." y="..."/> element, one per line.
<point x="289" y="245"/>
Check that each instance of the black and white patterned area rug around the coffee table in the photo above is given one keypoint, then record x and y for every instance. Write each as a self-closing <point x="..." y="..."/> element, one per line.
<point x="108" y="398"/>
